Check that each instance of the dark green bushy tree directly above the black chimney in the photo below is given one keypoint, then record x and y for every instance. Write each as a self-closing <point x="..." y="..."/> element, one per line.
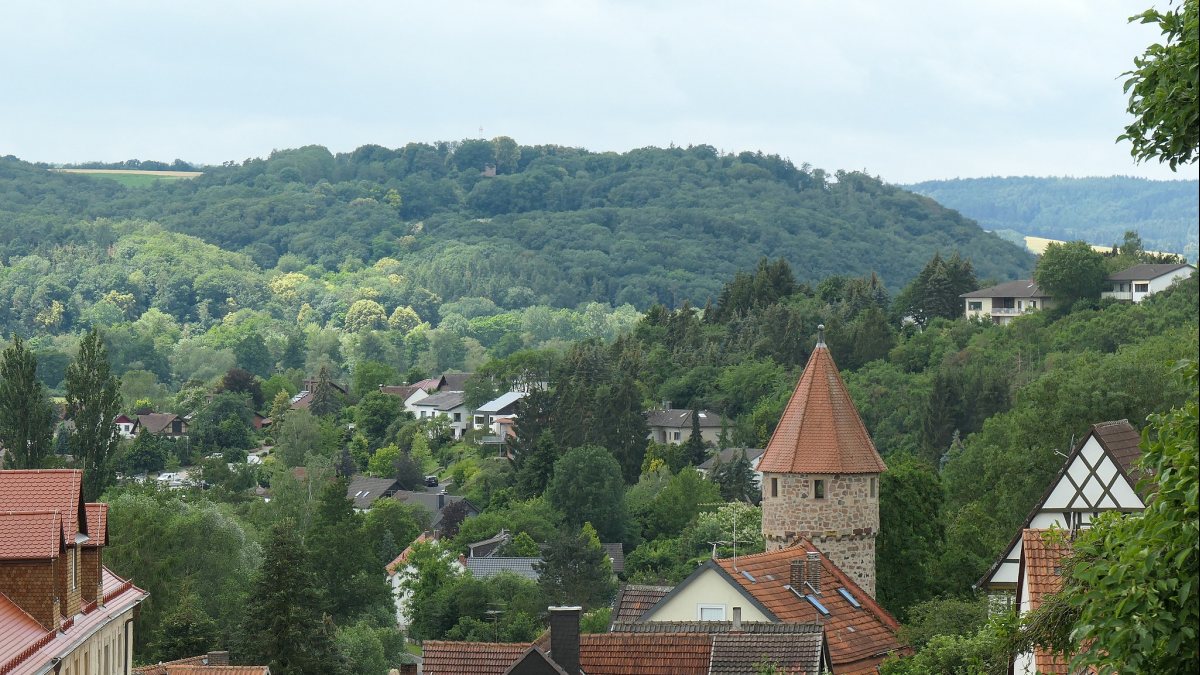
<point x="577" y="571"/>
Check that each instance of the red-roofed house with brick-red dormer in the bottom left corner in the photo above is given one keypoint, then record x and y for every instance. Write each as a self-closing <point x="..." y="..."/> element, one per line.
<point x="62" y="611"/>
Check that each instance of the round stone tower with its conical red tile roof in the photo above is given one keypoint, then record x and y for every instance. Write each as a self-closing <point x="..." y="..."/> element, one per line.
<point x="821" y="474"/>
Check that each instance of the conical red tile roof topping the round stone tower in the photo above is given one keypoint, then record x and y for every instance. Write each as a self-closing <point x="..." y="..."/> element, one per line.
<point x="820" y="431"/>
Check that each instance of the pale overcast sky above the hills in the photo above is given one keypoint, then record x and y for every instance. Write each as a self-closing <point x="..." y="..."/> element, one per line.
<point x="907" y="91"/>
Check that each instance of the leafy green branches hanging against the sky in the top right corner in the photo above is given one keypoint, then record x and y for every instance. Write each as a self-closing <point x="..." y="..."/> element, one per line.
<point x="1162" y="91"/>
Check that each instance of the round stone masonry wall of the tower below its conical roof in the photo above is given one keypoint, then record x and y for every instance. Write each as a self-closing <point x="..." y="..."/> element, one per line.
<point x="843" y="524"/>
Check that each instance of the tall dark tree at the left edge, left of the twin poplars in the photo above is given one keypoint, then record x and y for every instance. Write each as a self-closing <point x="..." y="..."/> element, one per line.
<point x="27" y="419"/>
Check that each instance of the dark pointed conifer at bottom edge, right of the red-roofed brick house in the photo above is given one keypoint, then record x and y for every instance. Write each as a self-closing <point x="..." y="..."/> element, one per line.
<point x="284" y="626"/>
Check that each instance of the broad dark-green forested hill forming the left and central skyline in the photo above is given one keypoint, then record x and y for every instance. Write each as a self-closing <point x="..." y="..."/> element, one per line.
<point x="549" y="225"/>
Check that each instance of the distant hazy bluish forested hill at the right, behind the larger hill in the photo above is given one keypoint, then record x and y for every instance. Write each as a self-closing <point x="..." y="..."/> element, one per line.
<point x="1097" y="211"/>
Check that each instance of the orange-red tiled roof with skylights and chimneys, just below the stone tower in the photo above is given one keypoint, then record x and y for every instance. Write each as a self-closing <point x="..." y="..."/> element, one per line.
<point x="856" y="636"/>
